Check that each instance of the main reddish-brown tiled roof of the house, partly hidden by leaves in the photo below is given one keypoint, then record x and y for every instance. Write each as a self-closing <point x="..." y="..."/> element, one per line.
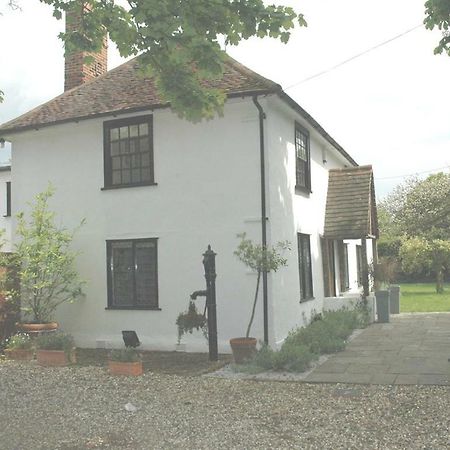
<point x="122" y="89"/>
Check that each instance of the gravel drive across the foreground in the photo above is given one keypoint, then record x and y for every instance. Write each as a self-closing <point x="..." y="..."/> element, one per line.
<point x="83" y="408"/>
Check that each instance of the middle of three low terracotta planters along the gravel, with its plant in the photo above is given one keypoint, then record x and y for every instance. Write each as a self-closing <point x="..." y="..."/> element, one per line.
<point x="55" y="349"/>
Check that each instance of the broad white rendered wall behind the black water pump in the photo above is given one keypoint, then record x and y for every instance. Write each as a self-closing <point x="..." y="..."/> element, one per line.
<point x="207" y="192"/>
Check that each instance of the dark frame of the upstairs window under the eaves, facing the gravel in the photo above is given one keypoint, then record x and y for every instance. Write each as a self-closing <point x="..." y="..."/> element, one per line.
<point x="107" y="157"/>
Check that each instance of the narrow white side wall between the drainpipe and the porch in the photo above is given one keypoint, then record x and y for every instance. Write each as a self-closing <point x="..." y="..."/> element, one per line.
<point x="292" y="213"/>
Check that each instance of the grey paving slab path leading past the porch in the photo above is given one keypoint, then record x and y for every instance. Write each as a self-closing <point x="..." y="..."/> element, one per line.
<point x="410" y="349"/>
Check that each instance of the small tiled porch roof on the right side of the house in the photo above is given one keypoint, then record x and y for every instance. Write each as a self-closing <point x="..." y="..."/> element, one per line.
<point x="351" y="211"/>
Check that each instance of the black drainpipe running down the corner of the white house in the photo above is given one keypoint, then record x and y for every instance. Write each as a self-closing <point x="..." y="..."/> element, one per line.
<point x="262" y="116"/>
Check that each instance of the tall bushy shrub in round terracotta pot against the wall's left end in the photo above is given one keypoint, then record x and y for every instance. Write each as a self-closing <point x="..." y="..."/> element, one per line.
<point x="45" y="266"/>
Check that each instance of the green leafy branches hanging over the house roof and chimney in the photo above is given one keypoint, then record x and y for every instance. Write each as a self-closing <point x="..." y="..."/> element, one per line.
<point x="179" y="40"/>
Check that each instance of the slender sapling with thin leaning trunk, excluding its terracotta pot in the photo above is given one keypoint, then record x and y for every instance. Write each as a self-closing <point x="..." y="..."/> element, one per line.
<point x="260" y="259"/>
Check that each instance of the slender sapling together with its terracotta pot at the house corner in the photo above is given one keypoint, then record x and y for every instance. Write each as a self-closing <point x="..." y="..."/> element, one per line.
<point x="260" y="259"/>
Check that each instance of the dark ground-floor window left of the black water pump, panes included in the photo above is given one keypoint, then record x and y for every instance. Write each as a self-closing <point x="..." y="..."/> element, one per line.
<point x="132" y="274"/>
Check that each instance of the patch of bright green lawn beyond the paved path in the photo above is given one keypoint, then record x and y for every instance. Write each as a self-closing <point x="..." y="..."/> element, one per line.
<point x="422" y="297"/>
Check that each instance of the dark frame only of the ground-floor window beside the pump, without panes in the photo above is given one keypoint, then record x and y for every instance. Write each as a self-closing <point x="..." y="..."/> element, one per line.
<point x="110" y="300"/>
